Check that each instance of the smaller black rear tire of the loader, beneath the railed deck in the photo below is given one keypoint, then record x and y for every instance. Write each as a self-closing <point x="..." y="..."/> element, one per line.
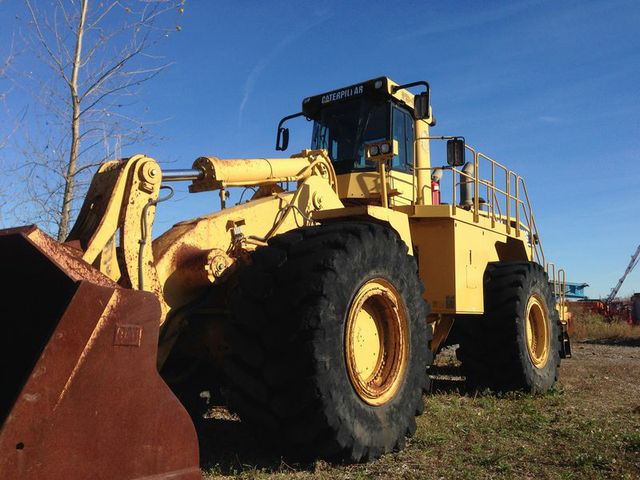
<point x="493" y="347"/>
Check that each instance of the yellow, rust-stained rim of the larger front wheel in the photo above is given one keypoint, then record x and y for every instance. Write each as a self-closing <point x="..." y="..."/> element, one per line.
<point x="376" y="342"/>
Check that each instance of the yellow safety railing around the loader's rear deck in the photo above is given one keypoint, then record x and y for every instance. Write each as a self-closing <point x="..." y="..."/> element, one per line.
<point x="507" y="199"/>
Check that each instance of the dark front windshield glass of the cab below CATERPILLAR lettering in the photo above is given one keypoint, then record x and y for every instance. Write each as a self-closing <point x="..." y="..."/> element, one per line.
<point x="344" y="129"/>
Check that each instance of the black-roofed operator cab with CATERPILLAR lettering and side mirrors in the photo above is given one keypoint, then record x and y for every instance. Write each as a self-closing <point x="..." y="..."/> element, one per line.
<point x="346" y="122"/>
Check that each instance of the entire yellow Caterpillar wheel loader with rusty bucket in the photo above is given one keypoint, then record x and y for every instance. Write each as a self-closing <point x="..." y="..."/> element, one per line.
<point x="315" y="307"/>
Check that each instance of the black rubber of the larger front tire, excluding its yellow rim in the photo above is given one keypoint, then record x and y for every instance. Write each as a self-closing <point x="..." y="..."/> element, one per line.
<point x="287" y="371"/>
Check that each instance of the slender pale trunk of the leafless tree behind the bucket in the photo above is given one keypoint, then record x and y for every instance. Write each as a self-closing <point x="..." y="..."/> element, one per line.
<point x="67" y="199"/>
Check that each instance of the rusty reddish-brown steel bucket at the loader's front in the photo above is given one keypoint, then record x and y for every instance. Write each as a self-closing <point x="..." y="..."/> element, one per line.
<point x="80" y="394"/>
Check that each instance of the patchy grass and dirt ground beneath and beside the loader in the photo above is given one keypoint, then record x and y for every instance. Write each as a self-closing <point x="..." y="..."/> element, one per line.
<point x="587" y="427"/>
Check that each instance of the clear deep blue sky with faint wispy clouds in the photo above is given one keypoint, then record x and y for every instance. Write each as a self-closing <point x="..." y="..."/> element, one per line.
<point x="551" y="88"/>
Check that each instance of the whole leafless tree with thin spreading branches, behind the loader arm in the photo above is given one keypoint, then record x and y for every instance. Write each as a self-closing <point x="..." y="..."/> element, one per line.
<point x="94" y="57"/>
